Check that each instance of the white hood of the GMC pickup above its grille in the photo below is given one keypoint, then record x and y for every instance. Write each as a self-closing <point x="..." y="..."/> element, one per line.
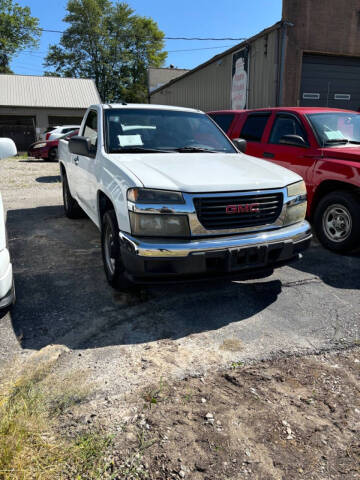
<point x="207" y="172"/>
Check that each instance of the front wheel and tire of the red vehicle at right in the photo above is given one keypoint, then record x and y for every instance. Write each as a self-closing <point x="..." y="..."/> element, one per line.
<point x="337" y="221"/>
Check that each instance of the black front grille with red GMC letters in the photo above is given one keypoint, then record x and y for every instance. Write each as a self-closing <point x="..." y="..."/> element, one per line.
<point x="211" y="211"/>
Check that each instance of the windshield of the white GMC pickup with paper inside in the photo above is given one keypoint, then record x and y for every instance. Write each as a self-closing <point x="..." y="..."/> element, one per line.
<point x="150" y="130"/>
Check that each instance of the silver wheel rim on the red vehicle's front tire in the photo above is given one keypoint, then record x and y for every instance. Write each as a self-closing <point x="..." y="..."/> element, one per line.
<point x="337" y="223"/>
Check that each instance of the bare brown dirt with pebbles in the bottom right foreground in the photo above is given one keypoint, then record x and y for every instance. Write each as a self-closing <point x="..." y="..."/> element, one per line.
<point x="289" y="418"/>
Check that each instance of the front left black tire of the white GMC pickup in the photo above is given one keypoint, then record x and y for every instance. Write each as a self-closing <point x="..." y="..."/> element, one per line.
<point x="110" y="248"/>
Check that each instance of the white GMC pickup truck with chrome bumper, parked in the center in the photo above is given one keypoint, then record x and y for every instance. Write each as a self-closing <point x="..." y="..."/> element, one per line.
<point x="174" y="198"/>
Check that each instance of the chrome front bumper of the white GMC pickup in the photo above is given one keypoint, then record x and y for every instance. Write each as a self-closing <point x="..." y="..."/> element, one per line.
<point x="165" y="248"/>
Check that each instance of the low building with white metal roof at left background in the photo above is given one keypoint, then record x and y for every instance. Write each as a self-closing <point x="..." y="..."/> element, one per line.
<point x="30" y="104"/>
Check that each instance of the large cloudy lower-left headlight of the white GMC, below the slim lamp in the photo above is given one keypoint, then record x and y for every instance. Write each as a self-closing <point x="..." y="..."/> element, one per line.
<point x="159" y="225"/>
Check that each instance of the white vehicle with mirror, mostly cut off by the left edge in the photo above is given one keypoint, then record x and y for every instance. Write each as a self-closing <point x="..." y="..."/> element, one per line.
<point x="7" y="290"/>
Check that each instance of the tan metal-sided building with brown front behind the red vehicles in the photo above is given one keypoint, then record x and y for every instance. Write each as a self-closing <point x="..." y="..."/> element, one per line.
<point x="311" y="58"/>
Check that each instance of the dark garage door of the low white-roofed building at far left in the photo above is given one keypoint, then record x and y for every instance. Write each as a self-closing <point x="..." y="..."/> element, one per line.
<point x="21" y="129"/>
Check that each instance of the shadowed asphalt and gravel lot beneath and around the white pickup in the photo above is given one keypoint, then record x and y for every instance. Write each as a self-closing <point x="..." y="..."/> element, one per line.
<point x="124" y="341"/>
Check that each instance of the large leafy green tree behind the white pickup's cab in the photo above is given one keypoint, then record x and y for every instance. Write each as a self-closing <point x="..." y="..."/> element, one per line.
<point x="107" y="42"/>
